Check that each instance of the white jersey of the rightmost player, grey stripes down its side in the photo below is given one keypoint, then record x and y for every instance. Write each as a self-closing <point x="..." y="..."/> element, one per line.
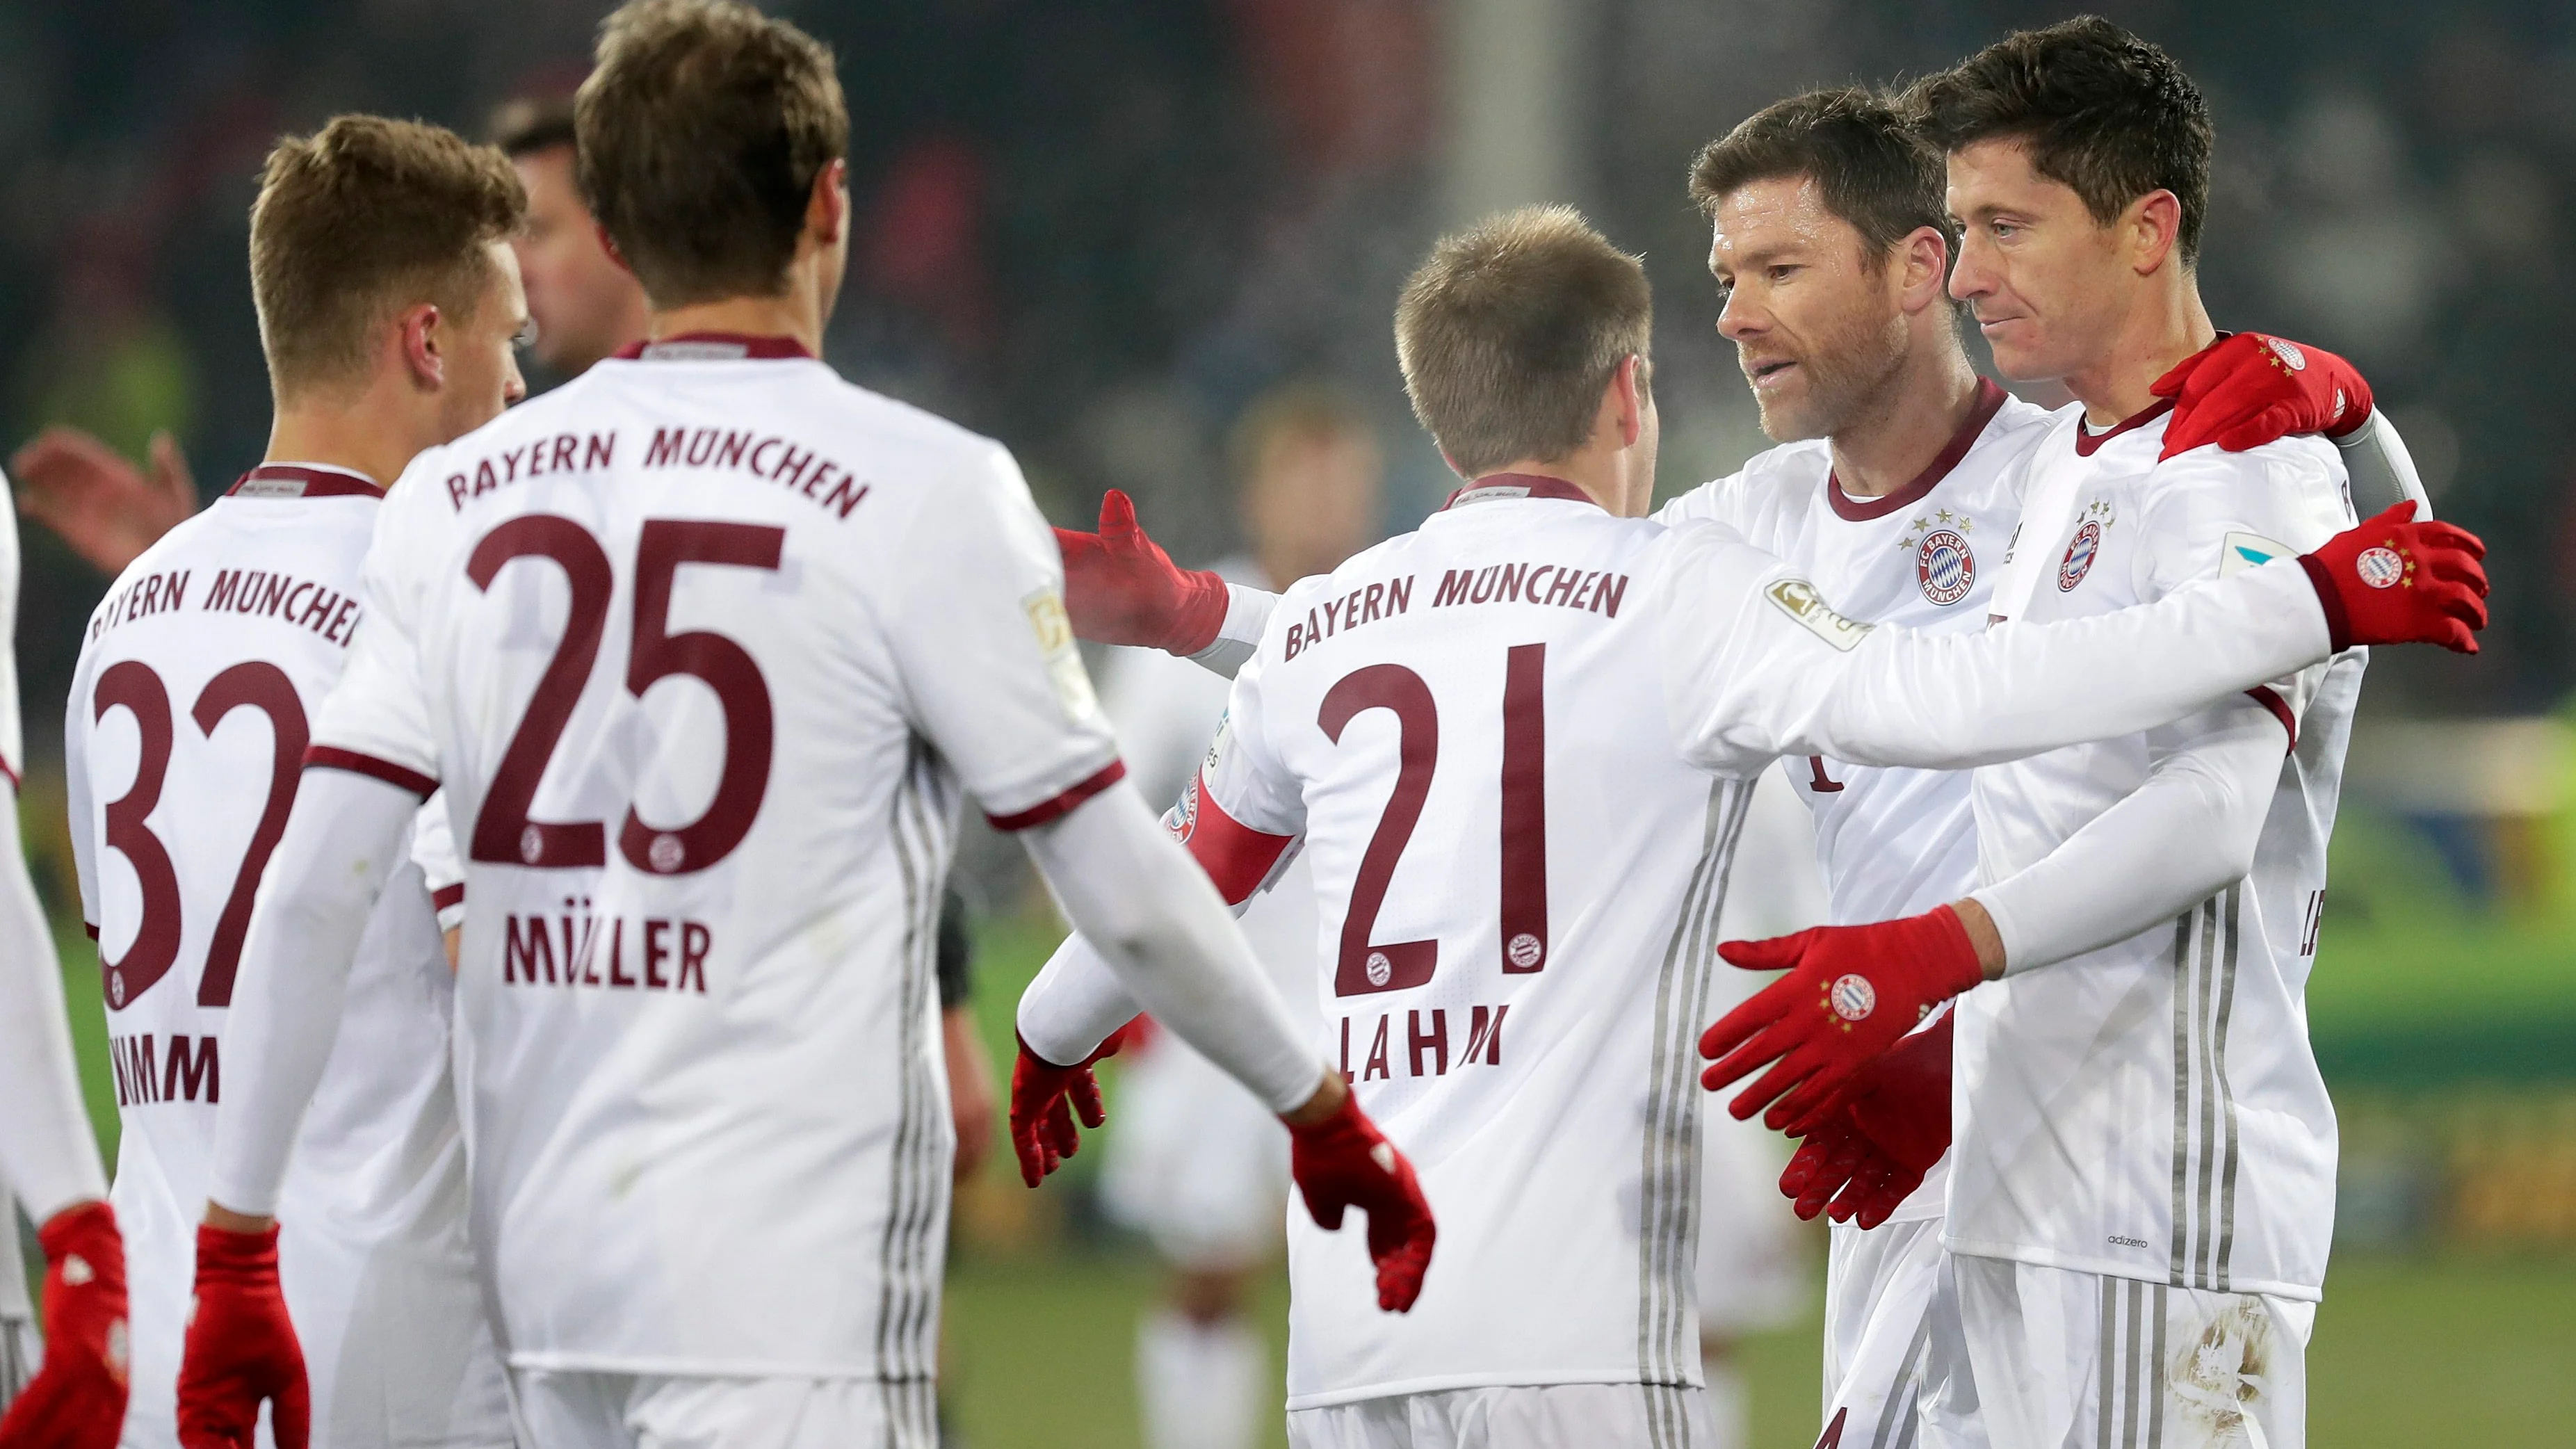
<point x="2152" y="1110"/>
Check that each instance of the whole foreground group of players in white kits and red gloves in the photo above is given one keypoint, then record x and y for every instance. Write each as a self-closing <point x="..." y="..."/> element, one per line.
<point x="516" y="837"/>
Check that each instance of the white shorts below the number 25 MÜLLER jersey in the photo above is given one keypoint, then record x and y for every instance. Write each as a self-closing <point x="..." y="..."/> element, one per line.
<point x="666" y="1412"/>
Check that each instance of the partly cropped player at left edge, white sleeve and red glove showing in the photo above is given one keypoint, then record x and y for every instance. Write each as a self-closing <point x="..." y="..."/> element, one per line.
<point x="48" y="1156"/>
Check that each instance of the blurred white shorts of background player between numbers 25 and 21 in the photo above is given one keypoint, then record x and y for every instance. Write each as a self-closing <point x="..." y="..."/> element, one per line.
<point x="1194" y="1162"/>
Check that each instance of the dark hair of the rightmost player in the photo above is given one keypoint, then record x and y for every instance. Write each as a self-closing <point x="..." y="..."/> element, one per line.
<point x="2103" y="112"/>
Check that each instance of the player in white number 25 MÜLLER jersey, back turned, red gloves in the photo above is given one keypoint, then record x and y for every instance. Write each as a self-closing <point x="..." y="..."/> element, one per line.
<point x="707" y="648"/>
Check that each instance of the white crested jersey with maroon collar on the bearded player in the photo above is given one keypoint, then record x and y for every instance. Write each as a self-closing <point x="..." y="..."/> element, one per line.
<point x="1892" y="842"/>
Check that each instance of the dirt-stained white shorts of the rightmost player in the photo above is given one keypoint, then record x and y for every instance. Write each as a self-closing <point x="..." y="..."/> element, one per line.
<point x="2029" y="1357"/>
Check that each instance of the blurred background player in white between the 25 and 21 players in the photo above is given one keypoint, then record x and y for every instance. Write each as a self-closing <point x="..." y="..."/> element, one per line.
<point x="1197" y="1164"/>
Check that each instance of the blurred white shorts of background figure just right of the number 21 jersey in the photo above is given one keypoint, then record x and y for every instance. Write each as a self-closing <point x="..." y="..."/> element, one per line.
<point x="1753" y="1249"/>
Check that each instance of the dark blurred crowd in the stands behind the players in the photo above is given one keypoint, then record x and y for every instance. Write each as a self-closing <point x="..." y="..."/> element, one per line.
<point x="1101" y="231"/>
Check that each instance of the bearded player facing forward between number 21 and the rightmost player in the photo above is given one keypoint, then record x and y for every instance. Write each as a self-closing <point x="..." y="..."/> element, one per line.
<point x="1900" y="489"/>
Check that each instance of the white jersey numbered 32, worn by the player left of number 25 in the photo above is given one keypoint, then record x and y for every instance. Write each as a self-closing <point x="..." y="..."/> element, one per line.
<point x="184" y="744"/>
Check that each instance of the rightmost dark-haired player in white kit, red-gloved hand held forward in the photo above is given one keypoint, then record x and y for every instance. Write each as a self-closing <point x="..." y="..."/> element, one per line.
<point x="2145" y="1167"/>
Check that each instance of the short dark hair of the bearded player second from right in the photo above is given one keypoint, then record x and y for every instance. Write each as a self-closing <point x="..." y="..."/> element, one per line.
<point x="1861" y="151"/>
